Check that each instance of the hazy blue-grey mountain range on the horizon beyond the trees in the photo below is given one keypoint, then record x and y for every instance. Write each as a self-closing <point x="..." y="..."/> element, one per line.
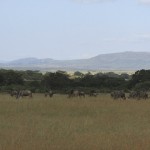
<point x="113" y="61"/>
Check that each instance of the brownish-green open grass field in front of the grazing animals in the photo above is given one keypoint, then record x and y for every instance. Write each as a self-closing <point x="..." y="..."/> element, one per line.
<point x="74" y="124"/>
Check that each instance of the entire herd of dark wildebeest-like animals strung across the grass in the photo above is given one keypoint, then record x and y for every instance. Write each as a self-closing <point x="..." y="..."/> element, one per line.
<point x="76" y="93"/>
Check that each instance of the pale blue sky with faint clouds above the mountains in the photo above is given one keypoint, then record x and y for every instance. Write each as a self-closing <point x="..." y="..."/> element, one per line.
<point x="72" y="29"/>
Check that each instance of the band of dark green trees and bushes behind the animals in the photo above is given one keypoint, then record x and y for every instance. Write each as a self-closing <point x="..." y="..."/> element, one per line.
<point x="62" y="81"/>
